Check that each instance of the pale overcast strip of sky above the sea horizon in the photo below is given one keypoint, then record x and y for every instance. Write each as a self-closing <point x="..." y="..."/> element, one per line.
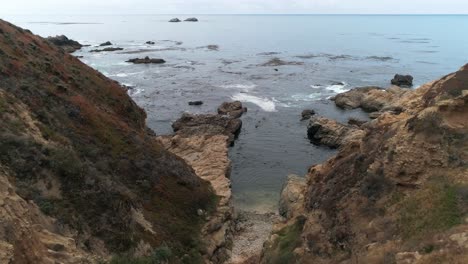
<point x="234" y="7"/>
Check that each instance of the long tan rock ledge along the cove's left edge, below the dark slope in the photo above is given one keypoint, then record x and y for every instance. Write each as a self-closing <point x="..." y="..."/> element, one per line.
<point x="203" y="141"/>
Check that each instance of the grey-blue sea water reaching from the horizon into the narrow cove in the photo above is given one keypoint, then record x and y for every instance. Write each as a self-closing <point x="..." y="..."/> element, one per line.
<point x="326" y="54"/>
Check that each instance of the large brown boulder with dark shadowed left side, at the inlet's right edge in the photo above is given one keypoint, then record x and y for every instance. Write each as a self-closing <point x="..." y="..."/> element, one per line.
<point x="324" y="131"/>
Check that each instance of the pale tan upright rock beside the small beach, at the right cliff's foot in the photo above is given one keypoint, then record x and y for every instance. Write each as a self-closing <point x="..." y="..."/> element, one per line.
<point x="292" y="196"/>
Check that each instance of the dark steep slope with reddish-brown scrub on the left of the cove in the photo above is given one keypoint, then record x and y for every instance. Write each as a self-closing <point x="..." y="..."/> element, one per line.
<point x="81" y="173"/>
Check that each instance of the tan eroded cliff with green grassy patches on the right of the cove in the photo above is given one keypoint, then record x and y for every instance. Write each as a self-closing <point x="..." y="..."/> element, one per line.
<point x="396" y="192"/>
